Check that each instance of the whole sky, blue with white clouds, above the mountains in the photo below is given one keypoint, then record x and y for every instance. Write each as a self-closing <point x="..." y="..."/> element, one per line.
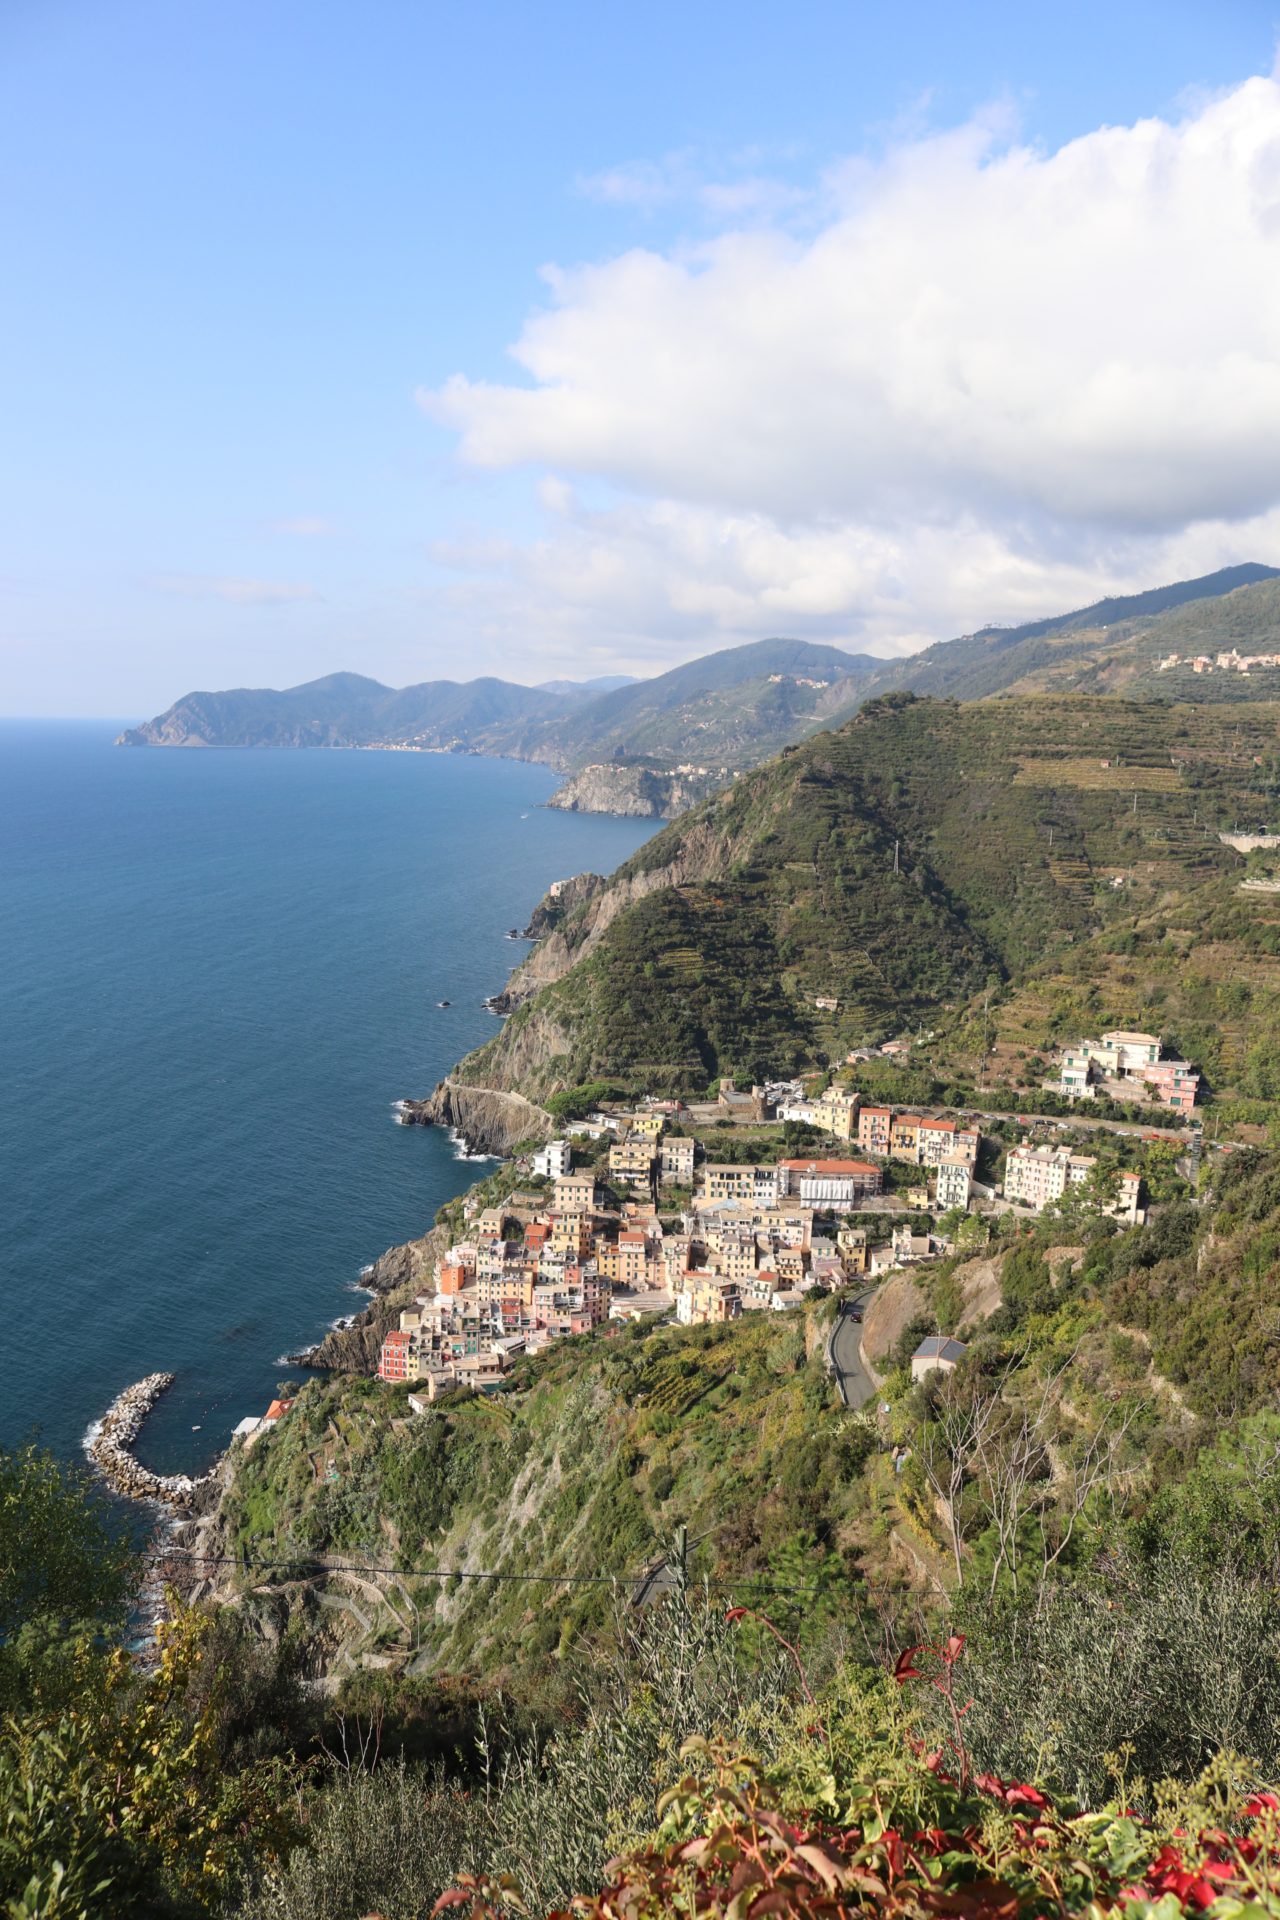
<point x="561" y="341"/>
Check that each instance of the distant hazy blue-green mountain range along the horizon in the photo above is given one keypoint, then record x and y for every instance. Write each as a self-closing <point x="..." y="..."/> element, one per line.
<point x="738" y="708"/>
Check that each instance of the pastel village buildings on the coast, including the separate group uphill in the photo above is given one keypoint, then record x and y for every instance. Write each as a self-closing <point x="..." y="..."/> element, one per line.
<point x="652" y="1211"/>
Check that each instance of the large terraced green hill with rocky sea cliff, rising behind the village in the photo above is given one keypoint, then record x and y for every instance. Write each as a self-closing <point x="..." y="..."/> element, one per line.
<point x="895" y="867"/>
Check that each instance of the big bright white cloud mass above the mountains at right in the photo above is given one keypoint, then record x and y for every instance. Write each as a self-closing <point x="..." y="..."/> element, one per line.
<point x="985" y="381"/>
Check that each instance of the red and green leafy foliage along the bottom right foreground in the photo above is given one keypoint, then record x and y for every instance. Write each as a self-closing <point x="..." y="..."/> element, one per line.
<point x="857" y="1817"/>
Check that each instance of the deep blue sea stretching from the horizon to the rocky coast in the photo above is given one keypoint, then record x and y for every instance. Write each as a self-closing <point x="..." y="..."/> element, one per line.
<point x="218" y="974"/>
